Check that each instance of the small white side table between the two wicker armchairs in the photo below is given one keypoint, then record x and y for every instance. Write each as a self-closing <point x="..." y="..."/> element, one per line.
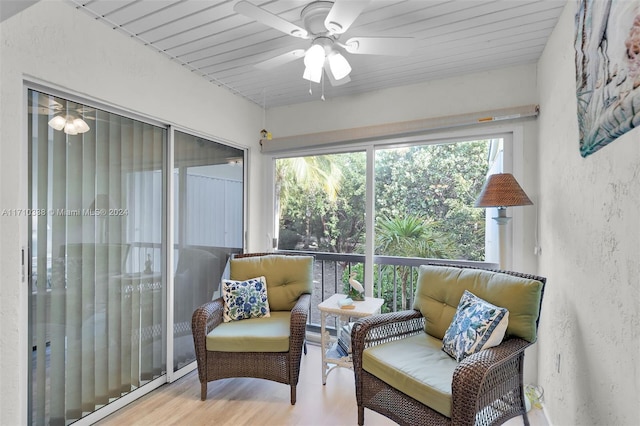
<point x="331" y="358"/>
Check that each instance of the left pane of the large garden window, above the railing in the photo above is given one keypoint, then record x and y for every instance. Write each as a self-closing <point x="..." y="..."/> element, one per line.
<point x="320" y="202"/>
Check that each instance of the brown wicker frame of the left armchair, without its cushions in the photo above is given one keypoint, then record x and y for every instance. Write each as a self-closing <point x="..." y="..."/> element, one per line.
<point x="283" y="367"/>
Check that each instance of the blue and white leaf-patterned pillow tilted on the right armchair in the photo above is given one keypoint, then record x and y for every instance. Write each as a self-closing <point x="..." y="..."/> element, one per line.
<point x="476" y="325"/>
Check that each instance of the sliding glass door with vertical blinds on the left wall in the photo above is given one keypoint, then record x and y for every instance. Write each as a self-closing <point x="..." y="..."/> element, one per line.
<point x="100" y="222"/>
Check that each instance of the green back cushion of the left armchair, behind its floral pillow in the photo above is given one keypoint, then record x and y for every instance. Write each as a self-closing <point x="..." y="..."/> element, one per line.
<point x="287" y="277"/>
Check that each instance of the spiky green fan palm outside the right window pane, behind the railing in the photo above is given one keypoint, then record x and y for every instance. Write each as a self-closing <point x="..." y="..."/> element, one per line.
<point x="411" y="236"/>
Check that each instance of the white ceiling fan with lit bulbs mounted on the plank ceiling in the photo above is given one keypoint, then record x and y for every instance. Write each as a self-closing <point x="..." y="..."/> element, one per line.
<point x="324" y="22"/>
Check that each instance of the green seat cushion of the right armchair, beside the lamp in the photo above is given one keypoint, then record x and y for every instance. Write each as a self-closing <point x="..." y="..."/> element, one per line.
<point x="416" y="366"/>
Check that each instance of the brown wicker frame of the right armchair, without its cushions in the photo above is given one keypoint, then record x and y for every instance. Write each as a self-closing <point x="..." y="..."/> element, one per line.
<point x="486" y="387"/>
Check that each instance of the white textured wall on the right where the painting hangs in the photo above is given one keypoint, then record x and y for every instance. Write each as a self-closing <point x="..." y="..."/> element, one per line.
<point x="590" y="238"/>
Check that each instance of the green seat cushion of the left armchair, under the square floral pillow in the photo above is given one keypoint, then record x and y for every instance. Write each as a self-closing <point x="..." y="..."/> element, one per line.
<point x="266" y="334"/>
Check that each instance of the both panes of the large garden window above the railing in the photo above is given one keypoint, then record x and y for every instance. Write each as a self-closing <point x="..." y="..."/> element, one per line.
<point x="431" y="187"/>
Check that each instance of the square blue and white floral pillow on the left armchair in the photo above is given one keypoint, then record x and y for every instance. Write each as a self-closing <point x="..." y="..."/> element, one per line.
<point x="245" y="299"/>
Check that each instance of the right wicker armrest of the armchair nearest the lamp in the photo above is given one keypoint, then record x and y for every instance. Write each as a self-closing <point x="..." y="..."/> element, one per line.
<point x="485" y="376"/>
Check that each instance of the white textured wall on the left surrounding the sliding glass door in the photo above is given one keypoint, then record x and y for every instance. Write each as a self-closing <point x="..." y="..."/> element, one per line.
<point x="56" y="44"/>
